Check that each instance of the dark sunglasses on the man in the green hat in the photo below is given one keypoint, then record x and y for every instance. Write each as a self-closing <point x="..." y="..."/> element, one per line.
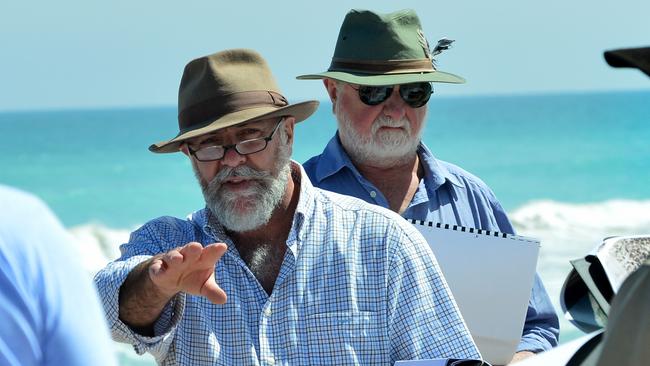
<point x="415" y="94"/>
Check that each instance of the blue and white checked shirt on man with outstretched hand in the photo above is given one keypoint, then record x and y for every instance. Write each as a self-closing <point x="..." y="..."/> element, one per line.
<point x="358" y="286"/>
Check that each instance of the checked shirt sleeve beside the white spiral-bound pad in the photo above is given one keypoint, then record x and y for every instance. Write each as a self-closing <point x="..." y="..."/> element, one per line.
<point x="423" y="318"/>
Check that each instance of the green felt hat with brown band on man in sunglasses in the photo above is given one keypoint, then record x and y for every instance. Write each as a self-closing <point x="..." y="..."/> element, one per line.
<point x="383" y="49"/>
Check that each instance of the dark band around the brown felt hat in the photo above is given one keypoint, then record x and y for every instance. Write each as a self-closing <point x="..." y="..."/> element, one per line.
<point x="217" y="107"/>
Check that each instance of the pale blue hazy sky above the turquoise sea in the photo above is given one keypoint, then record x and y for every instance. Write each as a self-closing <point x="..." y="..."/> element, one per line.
<point x="86" y="53"/>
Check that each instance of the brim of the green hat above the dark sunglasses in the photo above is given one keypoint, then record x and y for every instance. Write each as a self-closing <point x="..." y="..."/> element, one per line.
<point x="386" y="79"/>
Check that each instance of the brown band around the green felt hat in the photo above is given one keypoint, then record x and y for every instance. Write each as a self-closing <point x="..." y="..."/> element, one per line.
<point x="382" y="67"/>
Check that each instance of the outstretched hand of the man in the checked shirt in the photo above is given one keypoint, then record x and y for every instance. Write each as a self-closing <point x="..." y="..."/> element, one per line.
<point x="189" y="269"/>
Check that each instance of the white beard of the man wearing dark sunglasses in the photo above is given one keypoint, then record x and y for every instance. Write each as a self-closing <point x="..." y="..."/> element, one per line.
<point x="381" y="148"/>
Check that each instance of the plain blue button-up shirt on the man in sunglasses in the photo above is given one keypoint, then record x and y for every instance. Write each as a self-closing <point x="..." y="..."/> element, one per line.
<point x="449" y="195"/>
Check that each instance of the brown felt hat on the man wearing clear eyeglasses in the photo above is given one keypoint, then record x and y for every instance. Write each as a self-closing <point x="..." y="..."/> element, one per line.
<point x="226" y="89"/>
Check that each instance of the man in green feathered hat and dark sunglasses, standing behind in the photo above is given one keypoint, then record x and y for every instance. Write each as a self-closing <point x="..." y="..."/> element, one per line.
<point x="379" y="81"/>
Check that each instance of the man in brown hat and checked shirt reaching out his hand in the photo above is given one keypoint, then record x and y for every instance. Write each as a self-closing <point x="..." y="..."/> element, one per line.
<point x="273" y="270"/>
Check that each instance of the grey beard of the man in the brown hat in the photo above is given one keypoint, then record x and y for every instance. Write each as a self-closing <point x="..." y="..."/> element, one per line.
<point x="249" y="210"/>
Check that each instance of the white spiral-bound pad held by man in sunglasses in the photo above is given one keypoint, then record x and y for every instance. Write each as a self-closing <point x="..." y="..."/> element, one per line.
<point x="491" y="278"/>
